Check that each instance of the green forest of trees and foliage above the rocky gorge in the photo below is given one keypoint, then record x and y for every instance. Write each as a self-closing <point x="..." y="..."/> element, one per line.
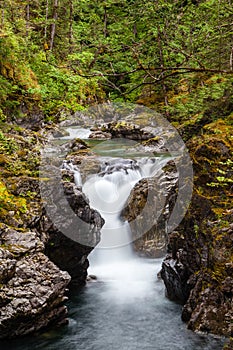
<point x="171" y="55"/>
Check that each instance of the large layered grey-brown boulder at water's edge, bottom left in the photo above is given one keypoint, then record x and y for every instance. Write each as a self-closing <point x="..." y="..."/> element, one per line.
<point x="32" y="288"/>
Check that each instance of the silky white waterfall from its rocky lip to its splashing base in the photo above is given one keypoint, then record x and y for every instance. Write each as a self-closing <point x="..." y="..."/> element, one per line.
<point x="113" y="258"/>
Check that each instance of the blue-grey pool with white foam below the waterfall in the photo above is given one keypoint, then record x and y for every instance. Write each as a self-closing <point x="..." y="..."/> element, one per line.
<point x="121" y="313"/>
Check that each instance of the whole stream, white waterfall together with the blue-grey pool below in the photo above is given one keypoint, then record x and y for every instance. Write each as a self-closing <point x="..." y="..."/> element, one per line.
<point x="125" y="308"/>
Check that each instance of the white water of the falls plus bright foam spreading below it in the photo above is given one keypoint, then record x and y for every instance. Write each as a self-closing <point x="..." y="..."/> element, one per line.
<point x="113" y="260"/>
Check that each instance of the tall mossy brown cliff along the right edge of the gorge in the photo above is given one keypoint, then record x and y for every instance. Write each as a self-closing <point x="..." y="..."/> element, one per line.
<point x="198" y="269"/>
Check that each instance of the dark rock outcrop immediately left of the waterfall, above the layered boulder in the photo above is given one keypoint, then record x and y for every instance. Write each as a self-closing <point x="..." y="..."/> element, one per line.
<point x="70" y="241"/>
